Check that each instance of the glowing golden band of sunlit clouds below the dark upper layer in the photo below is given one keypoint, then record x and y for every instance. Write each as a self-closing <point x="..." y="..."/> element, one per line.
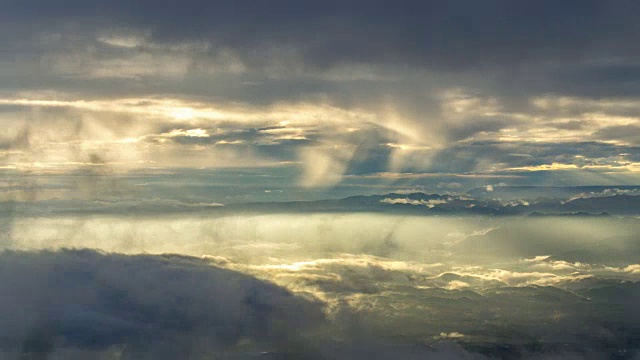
<point x="328" y="139"/>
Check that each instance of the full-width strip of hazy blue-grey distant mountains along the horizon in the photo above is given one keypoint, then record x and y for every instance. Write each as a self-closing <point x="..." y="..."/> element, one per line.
<point x="493" y="201"/>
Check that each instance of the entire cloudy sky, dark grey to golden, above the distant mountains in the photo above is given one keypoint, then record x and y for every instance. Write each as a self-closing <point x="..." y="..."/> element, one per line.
<point x="362" y="94"/>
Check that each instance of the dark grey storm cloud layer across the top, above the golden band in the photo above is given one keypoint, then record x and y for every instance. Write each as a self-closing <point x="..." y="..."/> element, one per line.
<point x="509" y="48"/>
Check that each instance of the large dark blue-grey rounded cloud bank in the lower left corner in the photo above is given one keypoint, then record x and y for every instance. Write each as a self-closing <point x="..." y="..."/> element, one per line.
<point x="165" y="306"/>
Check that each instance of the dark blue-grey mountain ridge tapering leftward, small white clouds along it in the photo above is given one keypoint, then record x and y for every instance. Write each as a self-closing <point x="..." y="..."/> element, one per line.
<point x="532" y="201"/>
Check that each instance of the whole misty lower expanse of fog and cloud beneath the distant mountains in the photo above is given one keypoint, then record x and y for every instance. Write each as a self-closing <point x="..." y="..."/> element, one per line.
<point x="355" y="286"/>
